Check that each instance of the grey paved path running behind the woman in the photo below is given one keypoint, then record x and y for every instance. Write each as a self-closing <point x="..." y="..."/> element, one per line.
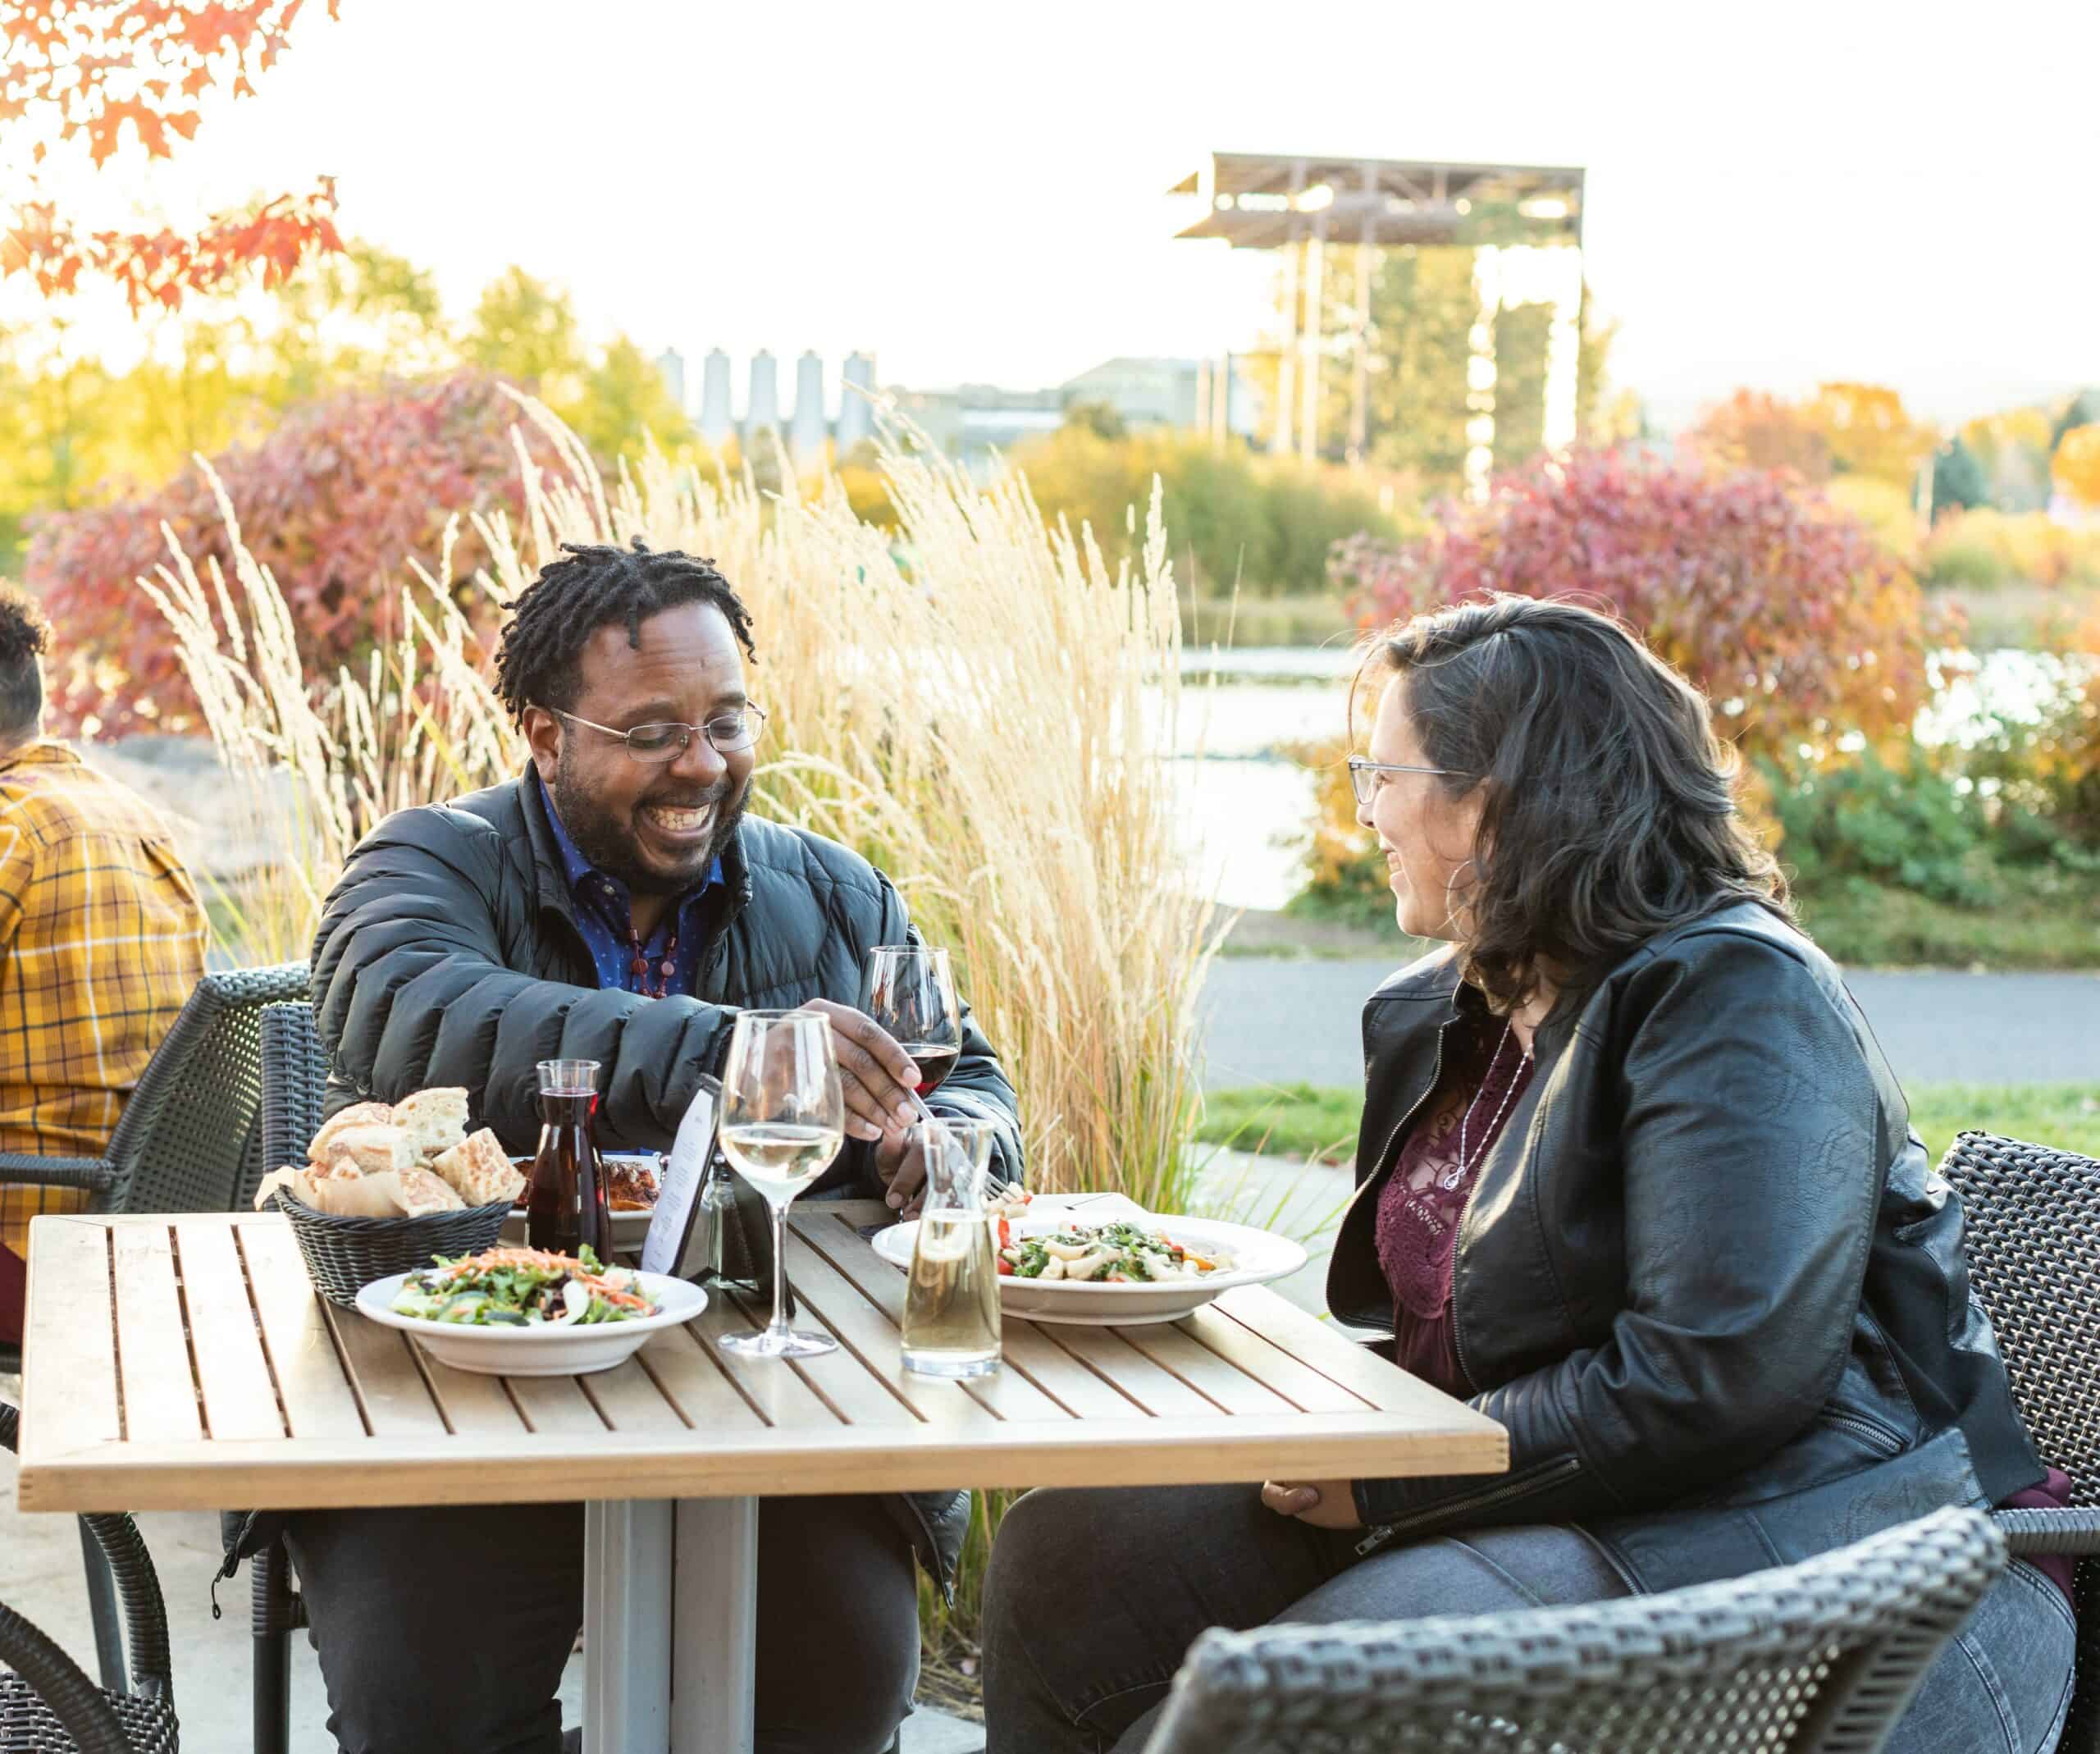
<point x="1284" y="1022"/>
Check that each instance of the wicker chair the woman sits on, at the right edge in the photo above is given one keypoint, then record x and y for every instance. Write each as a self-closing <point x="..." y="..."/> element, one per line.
<point x="2034" y="1245"/>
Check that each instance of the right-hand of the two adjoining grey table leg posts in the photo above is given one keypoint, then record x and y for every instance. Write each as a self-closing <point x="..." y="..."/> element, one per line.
<point x="715" y="1627"/>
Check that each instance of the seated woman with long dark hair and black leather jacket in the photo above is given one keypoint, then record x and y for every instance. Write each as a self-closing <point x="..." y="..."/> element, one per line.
<point x="1637" y="1182"/>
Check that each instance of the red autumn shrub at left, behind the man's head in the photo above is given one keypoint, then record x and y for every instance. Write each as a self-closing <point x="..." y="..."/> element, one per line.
<point x="335" y="503"/>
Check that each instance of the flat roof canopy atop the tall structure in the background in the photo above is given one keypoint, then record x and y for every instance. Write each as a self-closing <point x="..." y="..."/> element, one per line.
<point x="1267" y="201"/>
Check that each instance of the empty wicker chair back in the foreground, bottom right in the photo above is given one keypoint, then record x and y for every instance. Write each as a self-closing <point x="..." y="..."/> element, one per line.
<point x="1815" y="1658"/>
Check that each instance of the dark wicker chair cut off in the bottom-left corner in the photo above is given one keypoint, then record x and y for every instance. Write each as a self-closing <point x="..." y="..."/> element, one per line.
<point x="49" y="1707"/>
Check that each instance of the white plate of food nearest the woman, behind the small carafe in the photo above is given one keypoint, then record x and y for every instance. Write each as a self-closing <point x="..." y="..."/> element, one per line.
<point x="1108" y="1272"/>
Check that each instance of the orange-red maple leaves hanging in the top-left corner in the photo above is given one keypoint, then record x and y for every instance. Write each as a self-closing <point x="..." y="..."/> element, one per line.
<point x="104" y="75"/>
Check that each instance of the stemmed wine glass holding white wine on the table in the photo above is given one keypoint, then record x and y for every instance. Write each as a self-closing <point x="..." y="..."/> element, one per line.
<point x="784" y="1119"/>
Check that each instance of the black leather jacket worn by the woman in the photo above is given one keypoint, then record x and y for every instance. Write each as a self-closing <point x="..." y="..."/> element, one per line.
<point x="1706" y="1264"/>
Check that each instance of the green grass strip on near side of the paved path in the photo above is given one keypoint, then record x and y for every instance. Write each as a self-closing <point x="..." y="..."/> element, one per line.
<point x="1305" y="1123"/>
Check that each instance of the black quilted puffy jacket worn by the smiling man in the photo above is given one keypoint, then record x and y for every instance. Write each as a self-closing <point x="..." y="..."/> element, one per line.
<point x="450" y="955"/>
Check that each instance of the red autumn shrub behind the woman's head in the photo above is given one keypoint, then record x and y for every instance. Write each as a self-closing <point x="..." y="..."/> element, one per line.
<point x="1794" y="621"/>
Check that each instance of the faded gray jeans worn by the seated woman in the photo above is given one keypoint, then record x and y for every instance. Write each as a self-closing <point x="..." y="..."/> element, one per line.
<point x="1078" y="1654"/>
